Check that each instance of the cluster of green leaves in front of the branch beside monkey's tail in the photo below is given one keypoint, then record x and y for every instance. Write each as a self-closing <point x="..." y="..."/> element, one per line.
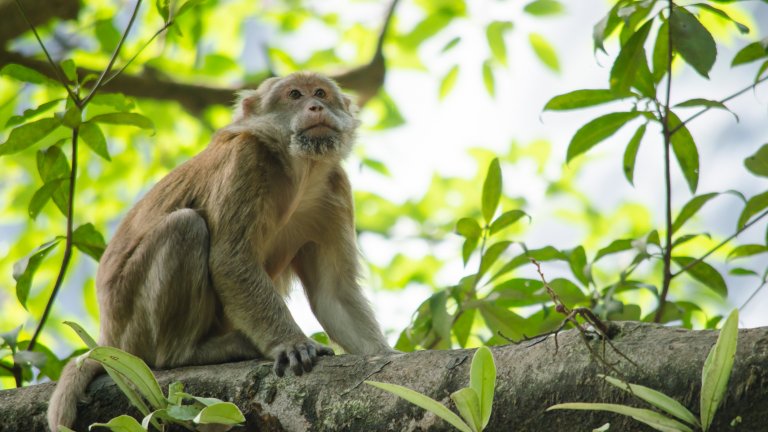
<point x="139" y="385"/>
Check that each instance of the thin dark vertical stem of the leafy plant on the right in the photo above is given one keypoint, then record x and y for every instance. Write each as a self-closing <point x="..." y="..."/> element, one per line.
<point x="667" y="259"/>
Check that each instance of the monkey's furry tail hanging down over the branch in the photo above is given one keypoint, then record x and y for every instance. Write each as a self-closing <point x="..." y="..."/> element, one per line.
<point x="62" y="409"/>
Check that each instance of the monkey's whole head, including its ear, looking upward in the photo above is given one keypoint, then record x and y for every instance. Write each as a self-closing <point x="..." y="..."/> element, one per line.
<point x="308" y="110"/>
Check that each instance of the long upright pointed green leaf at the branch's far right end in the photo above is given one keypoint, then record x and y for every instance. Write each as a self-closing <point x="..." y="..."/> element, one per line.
<point x="717" y="369"/>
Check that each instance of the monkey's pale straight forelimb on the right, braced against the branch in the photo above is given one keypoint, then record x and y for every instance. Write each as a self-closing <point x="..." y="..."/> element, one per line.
<point x="329" y="273"/>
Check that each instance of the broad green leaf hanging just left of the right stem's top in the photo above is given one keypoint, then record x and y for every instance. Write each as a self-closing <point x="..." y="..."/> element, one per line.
<point x="631" y="66"/>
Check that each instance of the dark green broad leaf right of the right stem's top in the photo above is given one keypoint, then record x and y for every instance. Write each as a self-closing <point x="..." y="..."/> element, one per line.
<point x="694" y="43"/>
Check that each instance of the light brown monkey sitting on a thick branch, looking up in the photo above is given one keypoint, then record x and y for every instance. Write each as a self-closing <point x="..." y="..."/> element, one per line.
<point x="197" y="271"/>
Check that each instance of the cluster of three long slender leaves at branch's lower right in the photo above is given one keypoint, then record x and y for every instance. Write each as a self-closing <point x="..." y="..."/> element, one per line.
<point x="714" y="383"/>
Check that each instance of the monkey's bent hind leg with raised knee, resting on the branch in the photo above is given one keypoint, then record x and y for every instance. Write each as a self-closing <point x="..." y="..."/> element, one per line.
<point x="174" y="320"/>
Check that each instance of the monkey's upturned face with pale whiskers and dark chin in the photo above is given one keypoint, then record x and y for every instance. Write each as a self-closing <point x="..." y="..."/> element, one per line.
<point x="318" y="115"/>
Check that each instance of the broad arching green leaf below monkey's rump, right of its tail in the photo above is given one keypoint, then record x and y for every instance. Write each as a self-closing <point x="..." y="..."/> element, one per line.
<point x="133" y="369"/>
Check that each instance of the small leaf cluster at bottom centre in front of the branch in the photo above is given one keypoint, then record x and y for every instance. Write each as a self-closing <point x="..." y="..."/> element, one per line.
<point x="474" y="402"/>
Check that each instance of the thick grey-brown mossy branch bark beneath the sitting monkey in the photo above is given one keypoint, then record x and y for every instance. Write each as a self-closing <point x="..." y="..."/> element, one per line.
<point x="530" y="378"/>
